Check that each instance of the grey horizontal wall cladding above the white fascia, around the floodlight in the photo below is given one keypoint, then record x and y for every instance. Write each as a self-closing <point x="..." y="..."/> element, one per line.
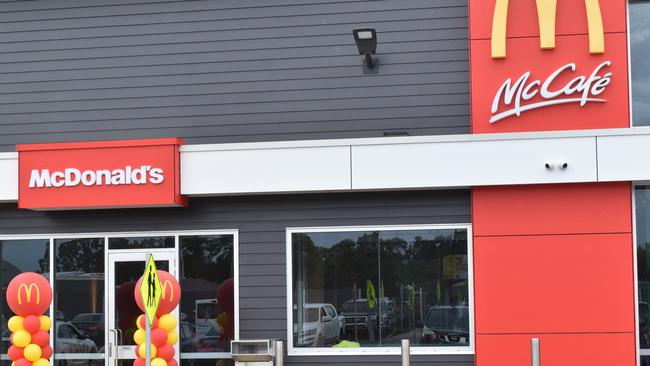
<point x="229" y="70"/>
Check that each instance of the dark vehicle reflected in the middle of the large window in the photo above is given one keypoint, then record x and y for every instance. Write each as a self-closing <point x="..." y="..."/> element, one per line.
<point x="357" y="315"/>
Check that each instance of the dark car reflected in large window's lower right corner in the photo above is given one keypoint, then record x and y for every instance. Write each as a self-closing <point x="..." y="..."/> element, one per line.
<point x="446" y="325"/>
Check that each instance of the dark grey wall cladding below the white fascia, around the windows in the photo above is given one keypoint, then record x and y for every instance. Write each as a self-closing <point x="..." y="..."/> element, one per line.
<point x="262" y="221"/>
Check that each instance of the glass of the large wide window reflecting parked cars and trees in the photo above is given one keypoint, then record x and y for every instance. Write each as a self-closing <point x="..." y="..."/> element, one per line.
<point x="375" y="288"/>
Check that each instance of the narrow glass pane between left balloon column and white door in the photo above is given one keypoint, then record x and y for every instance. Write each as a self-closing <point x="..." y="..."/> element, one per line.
<point x="79" y="297"/>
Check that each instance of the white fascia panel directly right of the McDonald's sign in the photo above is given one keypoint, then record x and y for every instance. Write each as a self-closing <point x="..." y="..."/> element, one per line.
<point x="325" y="168"/>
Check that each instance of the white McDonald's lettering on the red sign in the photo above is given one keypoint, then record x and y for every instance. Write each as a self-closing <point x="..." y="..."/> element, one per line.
<point x="71" y="177"/>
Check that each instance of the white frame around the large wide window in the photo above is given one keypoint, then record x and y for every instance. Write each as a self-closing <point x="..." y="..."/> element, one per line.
<point x="393" y="350"/>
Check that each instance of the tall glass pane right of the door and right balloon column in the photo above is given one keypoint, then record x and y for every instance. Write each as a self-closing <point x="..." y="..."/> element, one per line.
<point x="207" y="304"/>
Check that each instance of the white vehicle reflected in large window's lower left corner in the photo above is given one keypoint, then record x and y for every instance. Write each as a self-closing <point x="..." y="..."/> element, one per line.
<point x="321" y="325"/>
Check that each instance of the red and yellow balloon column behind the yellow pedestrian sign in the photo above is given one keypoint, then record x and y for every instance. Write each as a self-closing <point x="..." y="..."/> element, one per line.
<point x="163" y="331"/>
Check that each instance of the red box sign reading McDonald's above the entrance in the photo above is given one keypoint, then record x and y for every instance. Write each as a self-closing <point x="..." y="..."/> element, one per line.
<point x="103" y="174"/>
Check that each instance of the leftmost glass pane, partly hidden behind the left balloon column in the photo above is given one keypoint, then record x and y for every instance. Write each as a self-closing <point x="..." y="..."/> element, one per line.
<point x="18" y="256"/>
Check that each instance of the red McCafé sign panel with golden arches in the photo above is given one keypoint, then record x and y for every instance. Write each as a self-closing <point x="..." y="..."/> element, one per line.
<point x="544" y="65"/>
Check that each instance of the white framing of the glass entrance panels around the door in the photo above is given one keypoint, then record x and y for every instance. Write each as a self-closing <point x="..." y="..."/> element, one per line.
<point x="105" y="236"/>
